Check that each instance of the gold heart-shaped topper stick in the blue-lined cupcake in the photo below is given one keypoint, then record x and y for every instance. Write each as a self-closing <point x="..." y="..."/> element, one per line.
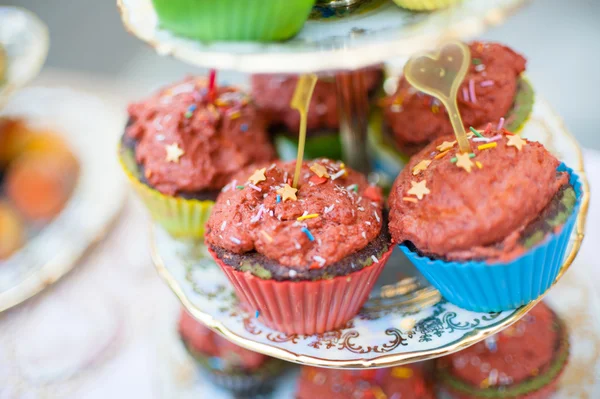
<point x="440" y="74"/>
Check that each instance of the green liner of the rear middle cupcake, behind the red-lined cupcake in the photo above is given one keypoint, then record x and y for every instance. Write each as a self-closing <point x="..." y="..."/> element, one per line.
<point x="325" y="145"/>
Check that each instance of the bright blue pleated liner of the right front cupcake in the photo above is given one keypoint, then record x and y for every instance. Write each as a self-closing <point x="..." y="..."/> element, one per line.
<point x="494" y="287"/>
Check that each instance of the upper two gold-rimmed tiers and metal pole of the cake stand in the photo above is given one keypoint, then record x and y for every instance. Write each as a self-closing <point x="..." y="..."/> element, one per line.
<point x="405" y="320"/>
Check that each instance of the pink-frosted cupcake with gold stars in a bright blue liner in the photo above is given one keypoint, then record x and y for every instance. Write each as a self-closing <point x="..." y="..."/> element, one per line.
<point x="488" y="229"/>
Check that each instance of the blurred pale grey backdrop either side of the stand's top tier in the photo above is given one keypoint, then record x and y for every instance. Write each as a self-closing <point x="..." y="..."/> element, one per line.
<point x="558" y="37"/>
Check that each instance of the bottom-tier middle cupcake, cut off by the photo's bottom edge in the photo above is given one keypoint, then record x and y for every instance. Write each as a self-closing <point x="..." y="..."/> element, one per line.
<point x="406" y="382"/>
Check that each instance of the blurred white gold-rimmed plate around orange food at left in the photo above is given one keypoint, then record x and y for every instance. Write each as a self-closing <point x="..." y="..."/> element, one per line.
<point x="83" y="121"/>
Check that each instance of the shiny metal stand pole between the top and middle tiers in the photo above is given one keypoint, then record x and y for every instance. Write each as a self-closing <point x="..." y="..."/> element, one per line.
<point x="353" y="108"/>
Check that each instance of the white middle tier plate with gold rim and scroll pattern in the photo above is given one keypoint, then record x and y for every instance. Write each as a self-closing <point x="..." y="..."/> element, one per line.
<point x="402" y="322"/>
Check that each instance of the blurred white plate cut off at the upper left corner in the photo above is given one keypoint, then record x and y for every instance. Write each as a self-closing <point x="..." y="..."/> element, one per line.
<point x="24" y="40"/>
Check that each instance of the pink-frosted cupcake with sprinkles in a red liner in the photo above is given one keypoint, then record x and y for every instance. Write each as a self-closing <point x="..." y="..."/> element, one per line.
<point x="303" y="259"/>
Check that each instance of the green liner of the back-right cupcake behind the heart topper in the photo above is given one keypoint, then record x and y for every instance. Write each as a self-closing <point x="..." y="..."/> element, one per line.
<point x="388" y="161"/>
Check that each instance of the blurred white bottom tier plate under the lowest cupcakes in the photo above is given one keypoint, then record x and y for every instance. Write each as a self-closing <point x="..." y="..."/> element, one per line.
<point x="574" y="299"/>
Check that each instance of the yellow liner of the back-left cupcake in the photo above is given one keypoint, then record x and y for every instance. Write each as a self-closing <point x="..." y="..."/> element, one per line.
<point x="181" y="217"/>
